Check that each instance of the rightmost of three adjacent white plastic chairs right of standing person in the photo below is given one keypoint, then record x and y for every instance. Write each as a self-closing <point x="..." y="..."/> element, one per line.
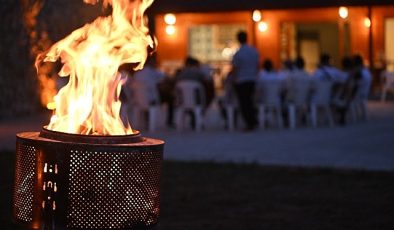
<point x="321" y="99"/>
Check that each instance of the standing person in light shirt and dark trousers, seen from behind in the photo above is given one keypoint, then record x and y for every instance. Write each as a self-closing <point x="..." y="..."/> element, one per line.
<point x="245" y="65"/>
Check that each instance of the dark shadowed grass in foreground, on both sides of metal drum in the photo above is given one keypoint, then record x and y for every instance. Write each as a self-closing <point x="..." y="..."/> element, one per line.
<point x="208" y="195"/>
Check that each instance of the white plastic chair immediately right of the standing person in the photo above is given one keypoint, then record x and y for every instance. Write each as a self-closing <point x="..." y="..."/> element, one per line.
<point x="268" y="96"/>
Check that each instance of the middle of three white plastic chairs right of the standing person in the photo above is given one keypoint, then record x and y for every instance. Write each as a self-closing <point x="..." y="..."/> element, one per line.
<point x="298" y="92"/>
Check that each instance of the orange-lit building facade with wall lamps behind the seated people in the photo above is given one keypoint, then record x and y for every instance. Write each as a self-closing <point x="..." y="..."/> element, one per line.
<point x="279" y="34"/>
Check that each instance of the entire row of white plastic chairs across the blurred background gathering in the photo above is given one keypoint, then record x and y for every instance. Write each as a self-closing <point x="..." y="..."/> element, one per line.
<point x="190" y="98"/>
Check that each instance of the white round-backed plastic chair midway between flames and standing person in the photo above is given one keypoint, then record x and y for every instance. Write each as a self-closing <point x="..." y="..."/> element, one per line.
<point x="190" y="96"/>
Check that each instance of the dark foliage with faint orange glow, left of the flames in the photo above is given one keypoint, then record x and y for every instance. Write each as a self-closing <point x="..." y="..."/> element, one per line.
<point x="20" y="30"/>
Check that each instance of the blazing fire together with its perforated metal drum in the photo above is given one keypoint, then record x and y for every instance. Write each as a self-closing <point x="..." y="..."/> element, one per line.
<point x="88" y="168"/>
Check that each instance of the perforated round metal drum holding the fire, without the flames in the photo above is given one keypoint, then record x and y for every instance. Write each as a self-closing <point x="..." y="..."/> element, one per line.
<point x="71" y="181"/>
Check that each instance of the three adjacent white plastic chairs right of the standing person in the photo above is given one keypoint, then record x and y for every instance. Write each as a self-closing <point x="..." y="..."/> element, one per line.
<point x="270" y="101"/>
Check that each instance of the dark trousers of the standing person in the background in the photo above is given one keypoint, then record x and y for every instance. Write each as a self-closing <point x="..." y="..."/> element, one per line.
<point x="245" y="93"/>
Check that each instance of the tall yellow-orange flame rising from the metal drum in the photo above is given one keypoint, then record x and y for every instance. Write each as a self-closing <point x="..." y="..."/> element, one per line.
<point x="91" y="55"/>
